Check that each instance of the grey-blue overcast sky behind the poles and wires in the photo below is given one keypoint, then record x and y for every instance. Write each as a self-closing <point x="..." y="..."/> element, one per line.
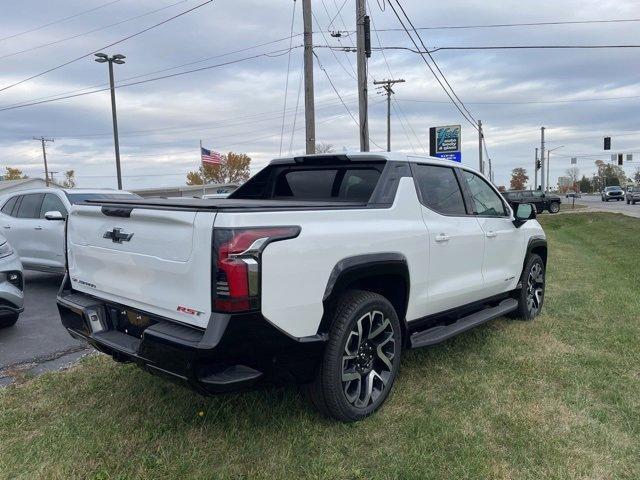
<point x="239" y="106"/>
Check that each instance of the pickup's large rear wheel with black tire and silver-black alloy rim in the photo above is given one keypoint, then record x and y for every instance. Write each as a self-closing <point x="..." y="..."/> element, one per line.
<point x="372" y="363"/>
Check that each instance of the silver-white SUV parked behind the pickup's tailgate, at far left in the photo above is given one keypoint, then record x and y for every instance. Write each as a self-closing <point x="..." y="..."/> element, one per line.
<point x="33" y="222"/>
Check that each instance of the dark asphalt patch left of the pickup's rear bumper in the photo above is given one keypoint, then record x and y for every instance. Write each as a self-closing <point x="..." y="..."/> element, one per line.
<point x="38" y="335"/>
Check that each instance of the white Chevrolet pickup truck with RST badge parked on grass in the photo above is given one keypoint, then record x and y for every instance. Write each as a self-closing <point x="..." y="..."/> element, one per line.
<point x="320" y="270"/>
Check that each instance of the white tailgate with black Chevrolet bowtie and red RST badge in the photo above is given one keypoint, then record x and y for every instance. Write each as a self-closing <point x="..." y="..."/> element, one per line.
<point x="157" y="261"/>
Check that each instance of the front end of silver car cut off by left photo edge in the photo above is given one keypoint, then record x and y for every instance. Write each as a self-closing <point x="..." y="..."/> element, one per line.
<point x="11" y="285"/>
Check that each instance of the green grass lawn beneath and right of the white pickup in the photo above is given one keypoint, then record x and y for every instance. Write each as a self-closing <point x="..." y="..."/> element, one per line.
<point x="558" y="397"/>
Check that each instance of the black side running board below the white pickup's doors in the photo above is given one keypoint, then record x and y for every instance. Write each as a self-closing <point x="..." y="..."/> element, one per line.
<point x="441" y="333"/>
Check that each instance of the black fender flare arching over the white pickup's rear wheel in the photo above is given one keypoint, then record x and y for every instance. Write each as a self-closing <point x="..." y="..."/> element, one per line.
<point x="360" y="267"/>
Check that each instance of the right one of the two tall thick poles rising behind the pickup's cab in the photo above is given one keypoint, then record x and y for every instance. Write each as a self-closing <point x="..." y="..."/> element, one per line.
<point x="364" y="51"/>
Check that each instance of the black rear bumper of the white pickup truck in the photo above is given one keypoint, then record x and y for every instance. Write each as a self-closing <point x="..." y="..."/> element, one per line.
<point x="235" y="352"/>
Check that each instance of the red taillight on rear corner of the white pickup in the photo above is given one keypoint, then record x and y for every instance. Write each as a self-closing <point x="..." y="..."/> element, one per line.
<point x="236" y="276"/>
